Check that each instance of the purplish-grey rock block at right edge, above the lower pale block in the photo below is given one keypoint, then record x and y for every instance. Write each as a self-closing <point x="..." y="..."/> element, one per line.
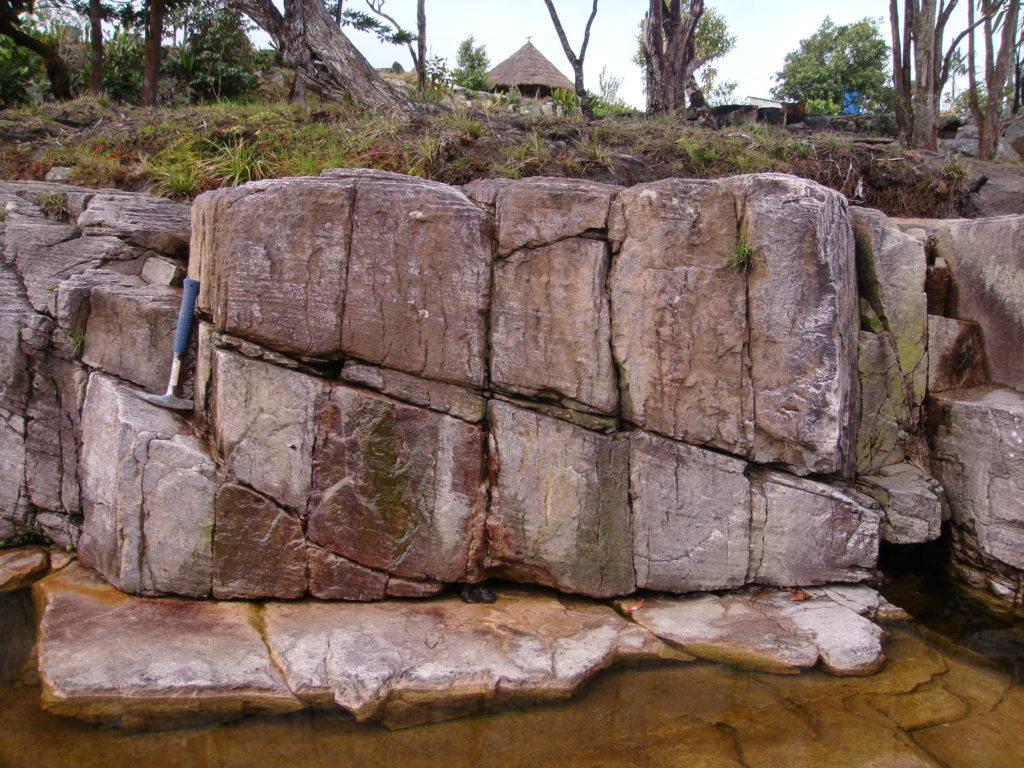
<point x="987" y="264"/>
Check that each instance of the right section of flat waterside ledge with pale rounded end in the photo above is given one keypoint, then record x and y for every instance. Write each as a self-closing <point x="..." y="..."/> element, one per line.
<point x="769" y="631"/>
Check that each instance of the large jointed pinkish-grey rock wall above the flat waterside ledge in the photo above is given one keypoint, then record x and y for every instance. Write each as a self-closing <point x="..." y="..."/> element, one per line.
<point x="401" y="385"/>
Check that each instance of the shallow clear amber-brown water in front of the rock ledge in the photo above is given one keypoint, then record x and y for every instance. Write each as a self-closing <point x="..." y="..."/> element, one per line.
<point x="931" y="706"/>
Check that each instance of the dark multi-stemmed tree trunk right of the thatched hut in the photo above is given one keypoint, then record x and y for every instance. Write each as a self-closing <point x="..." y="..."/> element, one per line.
<point x="668" y="46"/>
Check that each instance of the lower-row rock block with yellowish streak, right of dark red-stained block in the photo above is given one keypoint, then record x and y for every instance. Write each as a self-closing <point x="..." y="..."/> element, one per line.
<point x="560" y="513"/>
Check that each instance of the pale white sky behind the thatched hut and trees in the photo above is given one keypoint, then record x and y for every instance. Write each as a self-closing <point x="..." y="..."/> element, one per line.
<point x="765" y="31"/>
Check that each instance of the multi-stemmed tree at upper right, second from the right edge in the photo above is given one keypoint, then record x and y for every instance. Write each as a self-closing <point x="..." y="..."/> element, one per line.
<point x="918" y="48"/>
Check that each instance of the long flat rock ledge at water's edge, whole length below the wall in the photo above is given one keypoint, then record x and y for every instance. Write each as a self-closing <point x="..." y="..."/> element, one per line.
<point x="136" y="662"/>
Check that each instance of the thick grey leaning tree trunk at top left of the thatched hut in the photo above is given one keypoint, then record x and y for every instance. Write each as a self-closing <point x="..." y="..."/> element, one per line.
<point x="323" y="58"/>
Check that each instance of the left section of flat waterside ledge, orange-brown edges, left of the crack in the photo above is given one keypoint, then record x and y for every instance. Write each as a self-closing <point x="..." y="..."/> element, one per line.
<point x="132" y="662"/>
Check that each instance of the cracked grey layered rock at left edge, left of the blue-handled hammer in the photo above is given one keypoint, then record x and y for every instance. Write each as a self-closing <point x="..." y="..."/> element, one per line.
<point x="87" y="285"/>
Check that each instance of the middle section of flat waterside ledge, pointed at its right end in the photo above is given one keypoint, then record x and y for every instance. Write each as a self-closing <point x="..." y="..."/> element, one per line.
<point x="420" y="663"/>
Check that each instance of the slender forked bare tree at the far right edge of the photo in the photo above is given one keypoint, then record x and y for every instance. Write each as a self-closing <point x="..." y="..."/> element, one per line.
<point x="997" y="16"/>
